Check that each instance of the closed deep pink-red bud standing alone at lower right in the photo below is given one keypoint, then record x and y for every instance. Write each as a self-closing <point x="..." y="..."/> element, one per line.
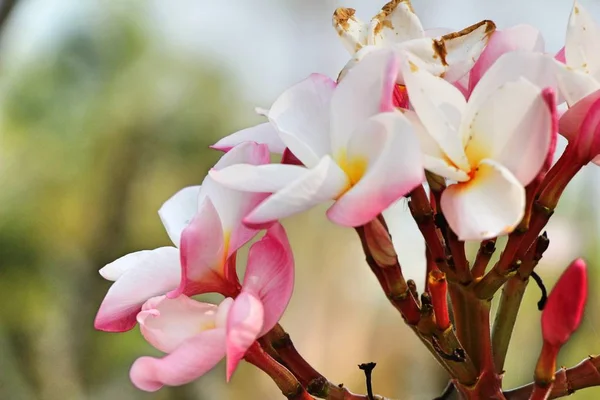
<point x="564" y="309"/>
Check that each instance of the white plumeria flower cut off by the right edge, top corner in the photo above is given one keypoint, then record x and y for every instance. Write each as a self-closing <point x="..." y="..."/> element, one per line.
<point x="581" y="56"/>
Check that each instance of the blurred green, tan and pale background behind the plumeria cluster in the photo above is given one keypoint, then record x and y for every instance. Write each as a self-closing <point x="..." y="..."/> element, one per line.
<point x="107" y="109"/>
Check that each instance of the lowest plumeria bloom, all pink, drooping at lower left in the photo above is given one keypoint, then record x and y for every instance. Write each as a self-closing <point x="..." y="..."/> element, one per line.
<point x="196" y="336"/>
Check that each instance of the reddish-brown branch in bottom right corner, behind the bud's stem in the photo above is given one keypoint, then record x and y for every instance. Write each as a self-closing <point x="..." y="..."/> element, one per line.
<point x="566" y="381"/>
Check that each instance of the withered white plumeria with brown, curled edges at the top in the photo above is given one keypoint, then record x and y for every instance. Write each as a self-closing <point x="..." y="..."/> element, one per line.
<point x="397" y="26"/>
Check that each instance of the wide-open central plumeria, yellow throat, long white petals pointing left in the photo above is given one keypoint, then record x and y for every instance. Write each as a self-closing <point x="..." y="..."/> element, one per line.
<point x="358" y="150"/>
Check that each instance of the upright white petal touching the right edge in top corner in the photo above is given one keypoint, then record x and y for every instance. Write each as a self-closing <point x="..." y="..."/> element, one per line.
<point x="582" y="49"/>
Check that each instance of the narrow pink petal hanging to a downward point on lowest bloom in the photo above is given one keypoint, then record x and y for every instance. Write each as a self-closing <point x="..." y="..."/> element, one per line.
<point x="244" y="324"/>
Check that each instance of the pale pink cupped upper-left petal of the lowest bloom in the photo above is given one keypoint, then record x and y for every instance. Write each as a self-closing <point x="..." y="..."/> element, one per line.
<point x="167" y="323"/>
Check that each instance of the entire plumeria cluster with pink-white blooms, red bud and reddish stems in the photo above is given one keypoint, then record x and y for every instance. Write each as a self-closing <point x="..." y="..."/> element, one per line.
<point x="469" y="116"/>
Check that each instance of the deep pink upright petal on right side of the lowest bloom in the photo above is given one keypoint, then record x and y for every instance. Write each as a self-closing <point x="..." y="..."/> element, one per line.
<point x="270" y="274"/>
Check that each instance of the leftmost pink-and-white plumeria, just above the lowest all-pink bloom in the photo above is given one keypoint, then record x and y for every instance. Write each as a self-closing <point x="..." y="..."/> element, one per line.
<point x="204" y="223"/>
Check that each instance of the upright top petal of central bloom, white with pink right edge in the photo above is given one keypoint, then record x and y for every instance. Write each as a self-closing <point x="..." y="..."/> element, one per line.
<point x="365" y="91"/>
